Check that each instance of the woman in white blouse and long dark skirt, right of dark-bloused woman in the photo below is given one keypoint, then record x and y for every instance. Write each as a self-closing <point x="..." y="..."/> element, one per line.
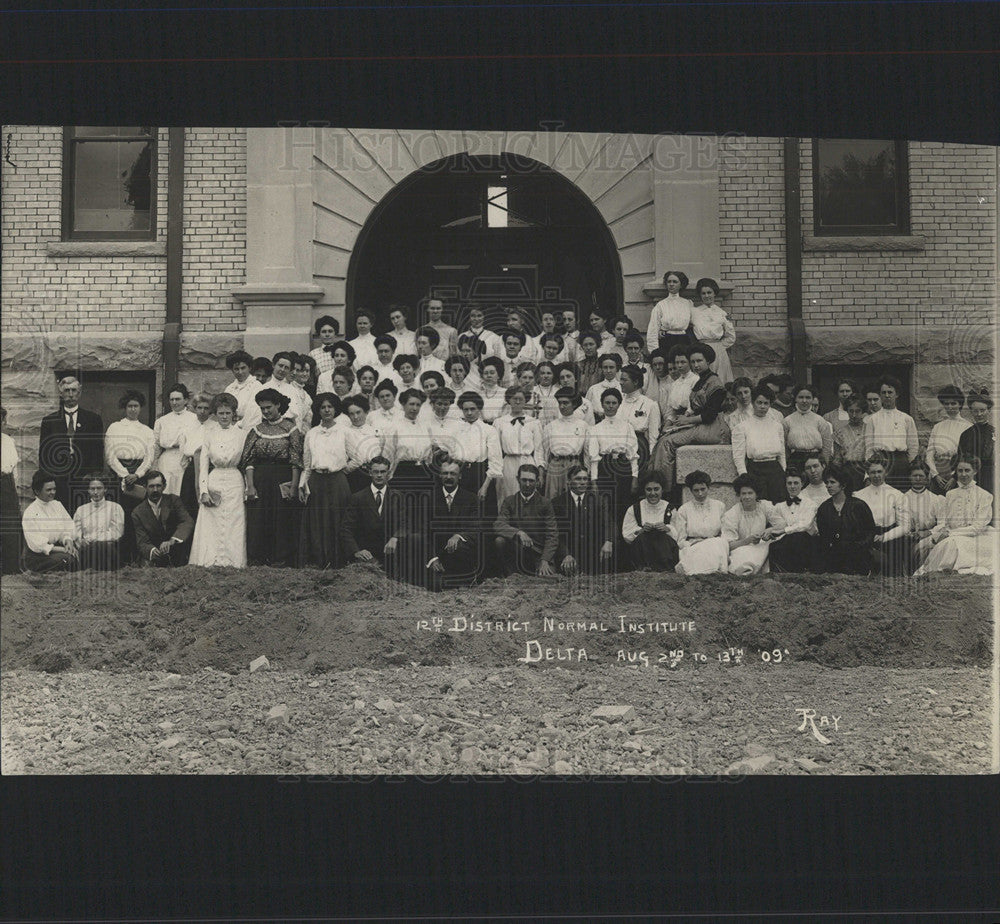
<point x="323" y="488"/>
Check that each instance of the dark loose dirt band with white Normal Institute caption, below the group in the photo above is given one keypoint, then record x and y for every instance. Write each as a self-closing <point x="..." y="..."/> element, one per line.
<point x="187" y="619"/>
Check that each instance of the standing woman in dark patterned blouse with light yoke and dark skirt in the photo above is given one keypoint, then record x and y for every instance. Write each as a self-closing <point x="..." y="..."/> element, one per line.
<point x="272" y="458"/>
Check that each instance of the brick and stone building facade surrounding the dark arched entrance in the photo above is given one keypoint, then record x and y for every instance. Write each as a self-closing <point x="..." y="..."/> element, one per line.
<point x="274" y="219"/>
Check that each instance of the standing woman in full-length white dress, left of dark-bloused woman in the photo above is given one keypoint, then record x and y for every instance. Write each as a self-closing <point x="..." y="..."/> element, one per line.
<point x="220" y="532"/>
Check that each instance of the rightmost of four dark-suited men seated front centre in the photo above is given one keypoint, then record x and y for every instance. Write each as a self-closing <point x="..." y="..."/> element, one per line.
<point x="586" y="533"/>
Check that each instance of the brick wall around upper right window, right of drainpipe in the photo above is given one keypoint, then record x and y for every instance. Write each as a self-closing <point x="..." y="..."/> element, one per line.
<point x="953" y="205"/>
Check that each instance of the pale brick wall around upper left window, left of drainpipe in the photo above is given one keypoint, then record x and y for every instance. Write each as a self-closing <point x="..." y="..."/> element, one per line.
<point x="43" y="291"/>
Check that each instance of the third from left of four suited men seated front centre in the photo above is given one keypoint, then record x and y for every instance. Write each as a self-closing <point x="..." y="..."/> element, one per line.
<point x="526" y="532"/>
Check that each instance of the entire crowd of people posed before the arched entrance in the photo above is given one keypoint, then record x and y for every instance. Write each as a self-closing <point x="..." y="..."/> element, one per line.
<point x="445" y="455"/>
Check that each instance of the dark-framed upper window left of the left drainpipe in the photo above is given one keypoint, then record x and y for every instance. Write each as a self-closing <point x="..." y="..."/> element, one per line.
<point x="109" y="183"/>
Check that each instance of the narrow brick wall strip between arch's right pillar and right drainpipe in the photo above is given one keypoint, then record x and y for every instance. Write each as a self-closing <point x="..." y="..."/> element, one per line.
<point x="752" y="230"/>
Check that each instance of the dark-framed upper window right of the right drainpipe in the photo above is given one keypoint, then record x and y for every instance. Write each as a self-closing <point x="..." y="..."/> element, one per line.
<point x="860" y="187"/>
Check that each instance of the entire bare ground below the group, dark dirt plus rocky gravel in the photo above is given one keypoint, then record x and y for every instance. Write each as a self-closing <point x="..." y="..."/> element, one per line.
<point x="149" y="672"/>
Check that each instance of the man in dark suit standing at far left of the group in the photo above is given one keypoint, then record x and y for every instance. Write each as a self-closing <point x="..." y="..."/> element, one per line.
<point x="71" y="445"/>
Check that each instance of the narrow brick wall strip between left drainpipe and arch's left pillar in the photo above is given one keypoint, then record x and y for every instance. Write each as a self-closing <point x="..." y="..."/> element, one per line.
<point x="215" y="217"/>
